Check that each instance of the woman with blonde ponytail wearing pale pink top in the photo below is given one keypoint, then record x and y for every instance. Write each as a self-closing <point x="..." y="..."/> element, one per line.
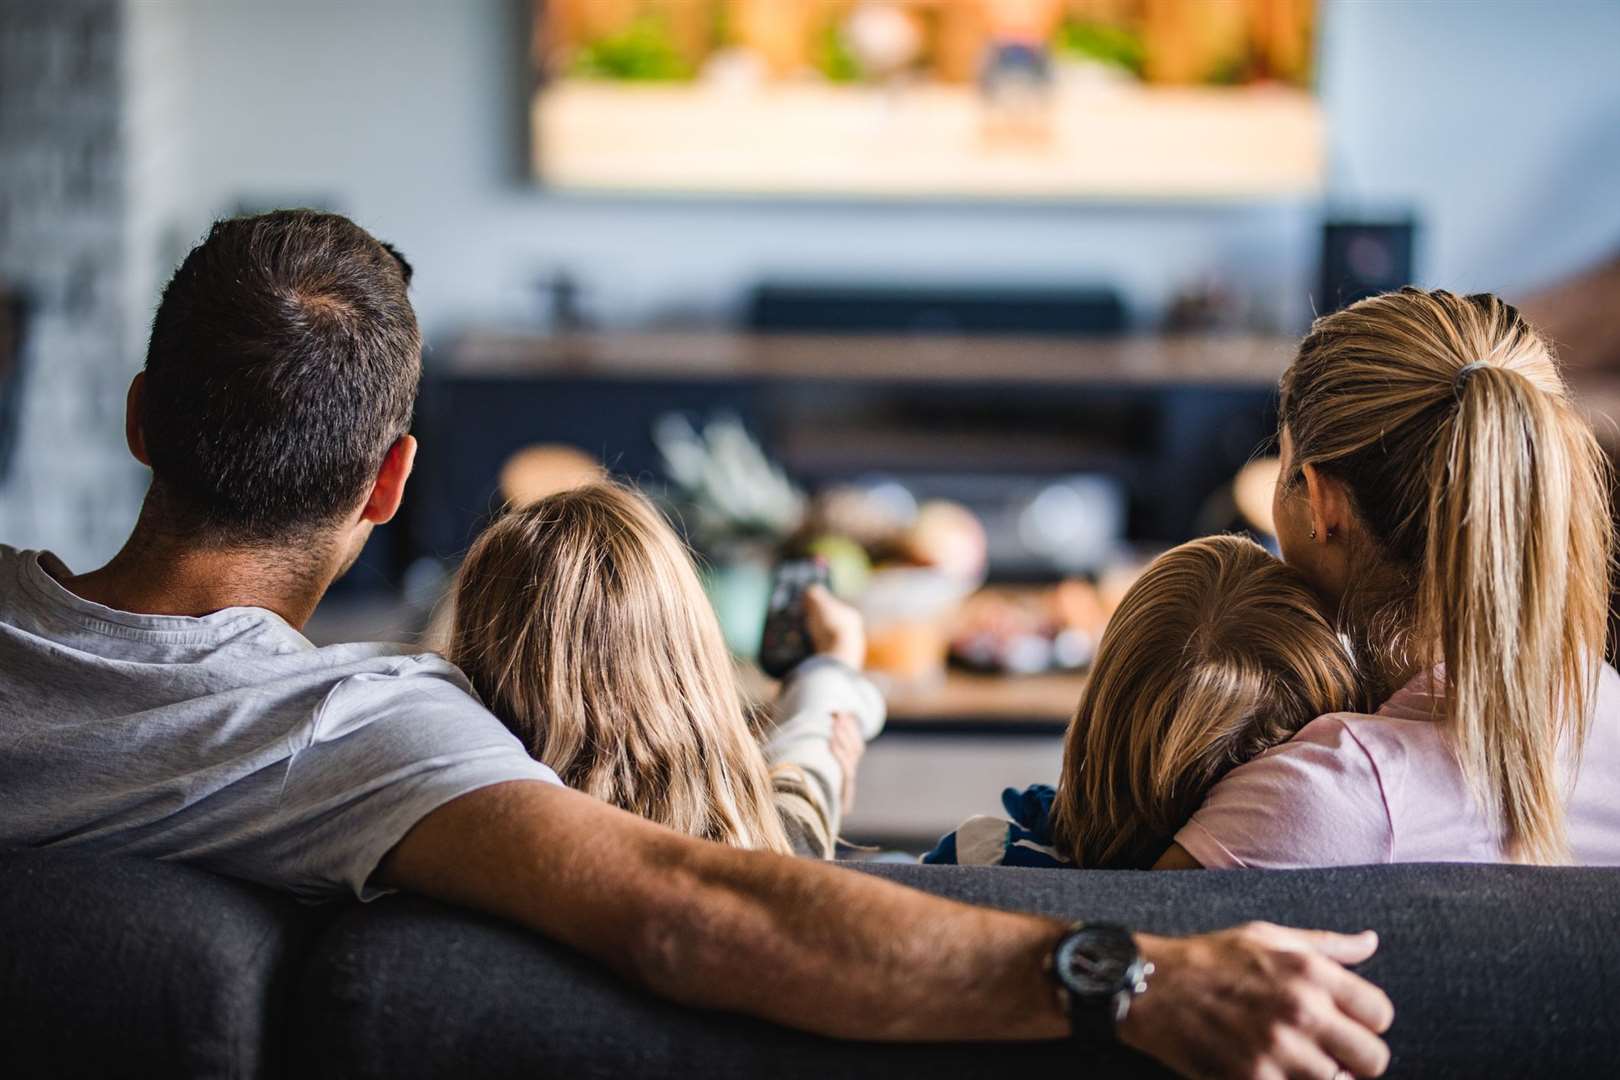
<point x="1451" y="504"/>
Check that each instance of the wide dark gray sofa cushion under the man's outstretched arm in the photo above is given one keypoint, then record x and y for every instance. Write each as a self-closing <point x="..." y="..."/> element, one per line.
<point x="1491" y="969"/>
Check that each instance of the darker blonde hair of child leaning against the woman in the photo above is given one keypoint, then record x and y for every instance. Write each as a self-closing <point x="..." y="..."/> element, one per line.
<point x="1216" y="653"/>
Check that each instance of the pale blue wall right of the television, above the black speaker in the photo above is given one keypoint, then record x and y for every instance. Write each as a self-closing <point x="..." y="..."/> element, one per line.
<point x="1499" y="121"/>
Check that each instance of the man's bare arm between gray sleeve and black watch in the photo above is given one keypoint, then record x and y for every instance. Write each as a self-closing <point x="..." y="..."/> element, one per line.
<point x="796" y="942"/>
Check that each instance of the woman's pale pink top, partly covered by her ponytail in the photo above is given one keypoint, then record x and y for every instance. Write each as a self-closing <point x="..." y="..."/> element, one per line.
<point x="1354" y="789"/>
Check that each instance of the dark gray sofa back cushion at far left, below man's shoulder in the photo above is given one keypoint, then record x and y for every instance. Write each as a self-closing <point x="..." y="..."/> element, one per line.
<point x="119" y="967"/>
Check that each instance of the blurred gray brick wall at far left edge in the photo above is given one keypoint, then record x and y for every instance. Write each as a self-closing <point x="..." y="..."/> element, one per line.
<point x="69" y="227"/>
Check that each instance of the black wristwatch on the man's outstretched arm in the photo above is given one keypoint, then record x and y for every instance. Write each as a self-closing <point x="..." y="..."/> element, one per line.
<point x="1099" y="972"/>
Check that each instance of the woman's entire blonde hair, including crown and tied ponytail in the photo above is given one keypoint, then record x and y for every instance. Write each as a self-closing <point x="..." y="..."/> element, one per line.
<point x="1485" y="496"/>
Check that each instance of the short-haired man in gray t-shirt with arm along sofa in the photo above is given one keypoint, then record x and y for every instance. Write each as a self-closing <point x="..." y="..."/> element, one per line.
<point x="168" y="707"/>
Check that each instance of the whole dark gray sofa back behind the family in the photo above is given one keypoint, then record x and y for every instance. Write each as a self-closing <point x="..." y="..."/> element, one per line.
<point x="119" y="967"/>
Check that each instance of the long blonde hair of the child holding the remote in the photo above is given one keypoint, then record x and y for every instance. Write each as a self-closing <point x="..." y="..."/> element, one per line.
<point x="582" y="624"/>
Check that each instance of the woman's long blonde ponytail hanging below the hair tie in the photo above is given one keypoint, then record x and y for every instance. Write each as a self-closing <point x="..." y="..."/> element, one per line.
<point x="1503" y="590"/>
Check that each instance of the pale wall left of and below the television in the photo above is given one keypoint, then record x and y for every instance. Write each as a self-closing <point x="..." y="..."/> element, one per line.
<point x="409" y="116"/>
